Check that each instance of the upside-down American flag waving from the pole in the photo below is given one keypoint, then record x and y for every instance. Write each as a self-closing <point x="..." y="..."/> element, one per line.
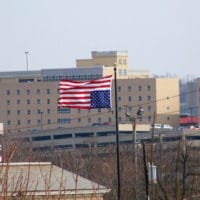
<point x="85" y="95"/>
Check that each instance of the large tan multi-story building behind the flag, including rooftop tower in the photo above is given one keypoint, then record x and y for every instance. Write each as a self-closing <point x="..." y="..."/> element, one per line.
<point x="29" y="98"/>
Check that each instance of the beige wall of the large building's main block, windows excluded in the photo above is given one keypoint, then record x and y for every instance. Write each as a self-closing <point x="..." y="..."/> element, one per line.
<point x="152" y="100"/>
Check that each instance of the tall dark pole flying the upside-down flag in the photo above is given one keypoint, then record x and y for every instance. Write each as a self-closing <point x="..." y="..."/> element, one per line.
<point x="117" y="138"/>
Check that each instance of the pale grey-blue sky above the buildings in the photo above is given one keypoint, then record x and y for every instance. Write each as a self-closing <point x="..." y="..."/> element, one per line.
<point x="162" y="36"/>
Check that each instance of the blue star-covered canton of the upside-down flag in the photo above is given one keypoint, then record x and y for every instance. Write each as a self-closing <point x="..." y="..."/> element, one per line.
<point x="100" y="99"/>
